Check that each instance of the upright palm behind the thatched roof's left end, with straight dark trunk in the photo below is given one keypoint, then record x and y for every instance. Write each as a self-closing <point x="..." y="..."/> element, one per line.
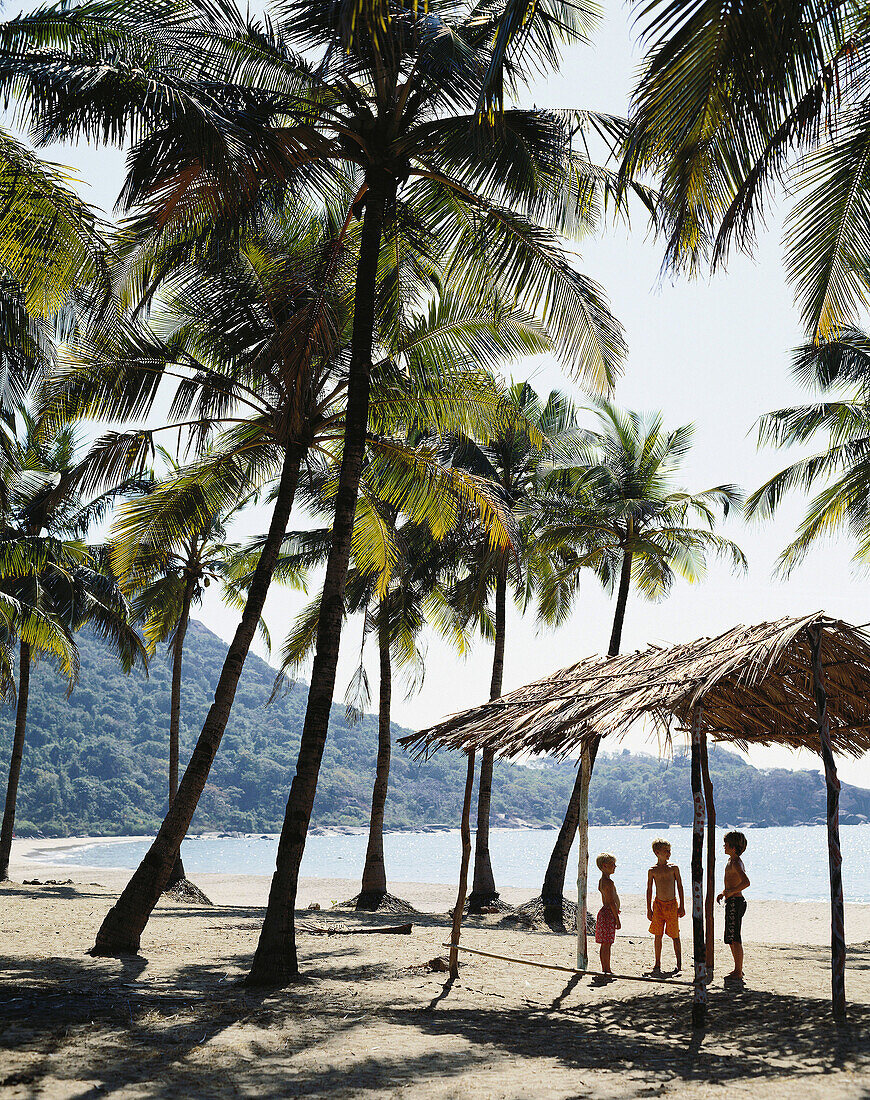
<point x="516" y="461"/>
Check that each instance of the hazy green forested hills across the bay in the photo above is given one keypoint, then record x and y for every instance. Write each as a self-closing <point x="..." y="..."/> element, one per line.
<point x="96" y="764"/>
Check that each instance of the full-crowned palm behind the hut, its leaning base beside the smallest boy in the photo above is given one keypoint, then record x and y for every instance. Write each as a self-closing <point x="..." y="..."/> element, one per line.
<point x="621" y="516"/>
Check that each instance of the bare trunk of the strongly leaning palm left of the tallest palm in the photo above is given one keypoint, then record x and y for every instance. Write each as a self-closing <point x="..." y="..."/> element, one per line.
<point x="123" y="927"/>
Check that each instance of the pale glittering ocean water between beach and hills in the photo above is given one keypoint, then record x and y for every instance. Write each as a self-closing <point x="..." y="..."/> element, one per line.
<point x="788" y="864"/>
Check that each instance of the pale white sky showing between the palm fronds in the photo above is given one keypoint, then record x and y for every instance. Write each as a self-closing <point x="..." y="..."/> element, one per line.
<point x="714" y="353"/>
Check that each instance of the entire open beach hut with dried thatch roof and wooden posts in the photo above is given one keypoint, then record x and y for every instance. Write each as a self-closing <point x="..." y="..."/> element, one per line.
<point x="800" y="683"/>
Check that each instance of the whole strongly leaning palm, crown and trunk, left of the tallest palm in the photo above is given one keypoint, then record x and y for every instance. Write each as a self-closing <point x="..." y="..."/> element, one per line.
<point x="252" y="336"/>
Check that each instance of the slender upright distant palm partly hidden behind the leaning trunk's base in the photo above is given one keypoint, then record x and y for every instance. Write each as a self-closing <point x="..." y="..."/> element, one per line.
<point x="164" y="581"/>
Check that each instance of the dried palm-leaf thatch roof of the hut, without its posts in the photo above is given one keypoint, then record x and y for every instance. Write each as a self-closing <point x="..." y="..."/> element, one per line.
<point x="756" y="685"/>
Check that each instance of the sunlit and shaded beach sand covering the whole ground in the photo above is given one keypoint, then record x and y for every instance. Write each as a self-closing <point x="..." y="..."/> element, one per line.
<point x="370" y="1020"/>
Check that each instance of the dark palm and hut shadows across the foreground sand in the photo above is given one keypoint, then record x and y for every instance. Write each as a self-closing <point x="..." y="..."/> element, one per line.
<point x="96" y="1021"/>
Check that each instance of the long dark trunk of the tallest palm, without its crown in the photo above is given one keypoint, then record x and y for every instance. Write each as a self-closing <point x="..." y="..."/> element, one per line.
<point x="276" y="961"/>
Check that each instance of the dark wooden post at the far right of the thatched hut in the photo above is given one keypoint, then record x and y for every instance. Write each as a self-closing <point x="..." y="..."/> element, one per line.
<point x="835" y="859"/>
